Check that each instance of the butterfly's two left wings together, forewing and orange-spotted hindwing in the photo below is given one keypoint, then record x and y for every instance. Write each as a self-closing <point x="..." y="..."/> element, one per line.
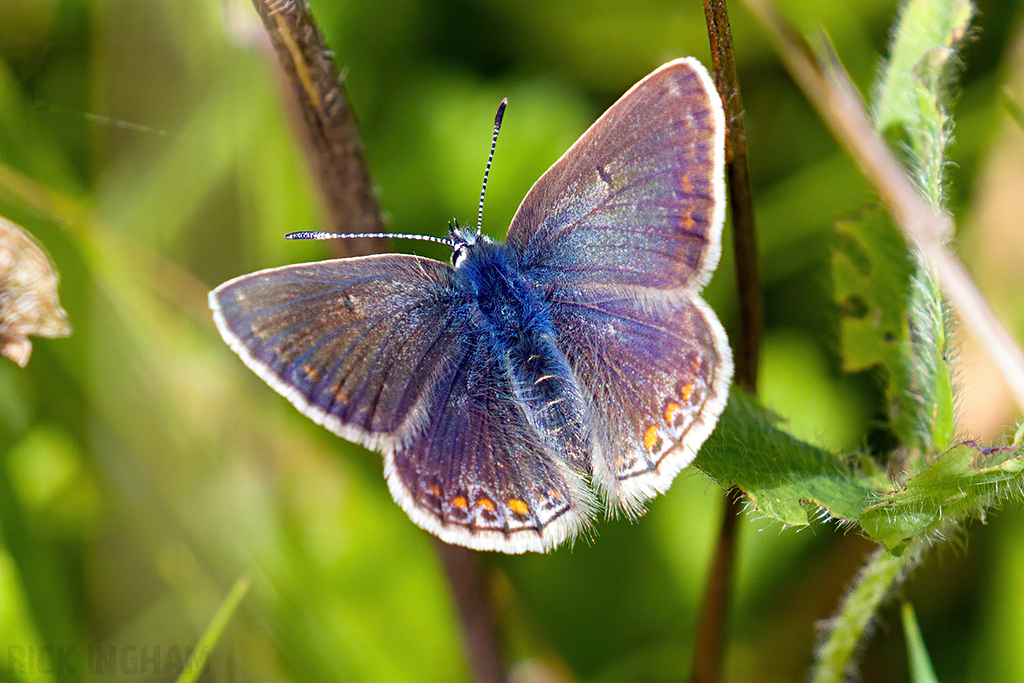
<point x="385" y="352"/>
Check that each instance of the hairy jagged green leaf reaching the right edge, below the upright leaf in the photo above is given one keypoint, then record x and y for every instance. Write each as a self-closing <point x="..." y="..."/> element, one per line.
<point x="960" y="484"/>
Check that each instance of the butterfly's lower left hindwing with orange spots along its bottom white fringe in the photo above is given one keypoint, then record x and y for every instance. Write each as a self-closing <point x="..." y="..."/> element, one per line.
<point x="482" y="475"/>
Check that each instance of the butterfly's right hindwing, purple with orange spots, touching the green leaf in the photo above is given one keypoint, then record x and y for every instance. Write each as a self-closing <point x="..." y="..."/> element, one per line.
<point x="658" y="373"/>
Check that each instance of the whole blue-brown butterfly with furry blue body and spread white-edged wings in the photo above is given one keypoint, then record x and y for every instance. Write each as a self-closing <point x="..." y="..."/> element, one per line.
<point x="515" y="391"/>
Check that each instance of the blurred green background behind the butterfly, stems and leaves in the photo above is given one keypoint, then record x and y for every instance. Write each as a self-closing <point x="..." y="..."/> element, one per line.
<point x="144" y="469"/>
